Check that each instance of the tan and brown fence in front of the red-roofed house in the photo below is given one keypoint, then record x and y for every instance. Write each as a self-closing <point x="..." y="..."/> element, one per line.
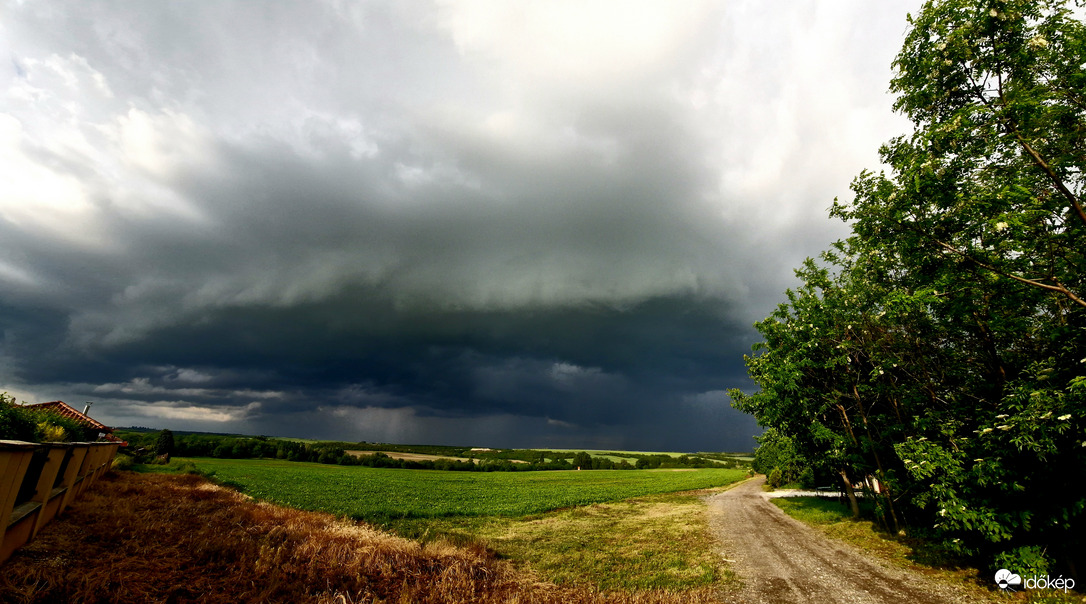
<point x="39" y="482"/>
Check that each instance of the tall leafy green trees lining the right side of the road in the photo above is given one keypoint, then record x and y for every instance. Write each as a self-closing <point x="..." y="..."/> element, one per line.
<point x="941" y="349"/>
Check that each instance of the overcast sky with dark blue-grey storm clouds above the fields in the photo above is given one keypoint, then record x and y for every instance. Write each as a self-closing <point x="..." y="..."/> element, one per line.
<point x="507" y="224"/>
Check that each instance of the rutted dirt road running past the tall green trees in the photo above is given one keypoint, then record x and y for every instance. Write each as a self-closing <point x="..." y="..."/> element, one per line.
<point x="780" y="560"/>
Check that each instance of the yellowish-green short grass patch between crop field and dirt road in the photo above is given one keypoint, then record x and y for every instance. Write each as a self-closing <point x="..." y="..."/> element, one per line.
<point x="656" y="543"/>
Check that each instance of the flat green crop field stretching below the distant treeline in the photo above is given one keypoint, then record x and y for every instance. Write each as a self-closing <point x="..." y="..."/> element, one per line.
<point x="383" y="495"/>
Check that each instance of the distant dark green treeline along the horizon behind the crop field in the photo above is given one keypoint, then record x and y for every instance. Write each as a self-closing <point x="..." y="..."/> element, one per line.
<point x="148" y="444"/>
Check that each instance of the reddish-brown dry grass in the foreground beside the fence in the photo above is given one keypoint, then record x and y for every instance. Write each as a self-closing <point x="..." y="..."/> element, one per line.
<point x="160" y="538"/>
